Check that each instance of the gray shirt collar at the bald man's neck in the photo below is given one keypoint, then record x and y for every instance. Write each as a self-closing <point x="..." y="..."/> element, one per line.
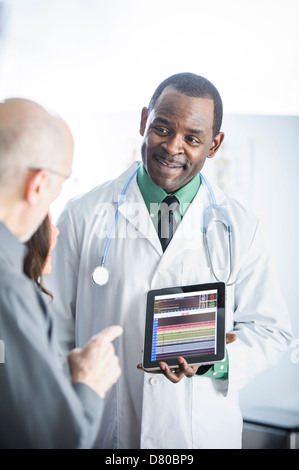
<point x="11" y="249"/>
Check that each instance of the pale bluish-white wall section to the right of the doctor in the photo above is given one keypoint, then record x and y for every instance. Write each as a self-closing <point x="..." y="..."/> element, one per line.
<point x="271" y="144"/>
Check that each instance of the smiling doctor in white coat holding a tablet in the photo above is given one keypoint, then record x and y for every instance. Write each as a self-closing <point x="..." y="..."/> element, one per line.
<point x="180" y="129"/>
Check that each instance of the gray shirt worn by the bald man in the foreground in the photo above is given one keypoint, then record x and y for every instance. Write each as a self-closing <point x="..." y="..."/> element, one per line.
<point x="39" y="408"/>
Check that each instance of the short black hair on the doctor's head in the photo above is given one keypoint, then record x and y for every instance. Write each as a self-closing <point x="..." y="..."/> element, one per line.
<point x="195" y="86"/>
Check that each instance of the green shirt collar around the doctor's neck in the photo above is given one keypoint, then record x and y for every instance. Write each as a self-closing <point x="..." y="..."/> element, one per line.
<point x="153" y="194"/>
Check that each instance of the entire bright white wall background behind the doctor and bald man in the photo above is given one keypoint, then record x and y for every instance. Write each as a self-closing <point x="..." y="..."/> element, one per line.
<point x="97" y="62"/>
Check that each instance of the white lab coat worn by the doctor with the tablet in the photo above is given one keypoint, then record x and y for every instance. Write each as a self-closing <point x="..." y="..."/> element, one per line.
<point x="146" y="410"/>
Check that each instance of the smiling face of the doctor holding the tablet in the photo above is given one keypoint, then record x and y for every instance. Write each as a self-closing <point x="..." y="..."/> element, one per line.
<point x="177" y="138"/>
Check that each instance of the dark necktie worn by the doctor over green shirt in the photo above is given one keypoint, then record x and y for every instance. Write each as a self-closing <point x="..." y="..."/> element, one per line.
<point x="166" y="222"/>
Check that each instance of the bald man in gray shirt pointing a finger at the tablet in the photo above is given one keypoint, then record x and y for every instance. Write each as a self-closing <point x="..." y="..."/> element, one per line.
<point x="39" y="407"/>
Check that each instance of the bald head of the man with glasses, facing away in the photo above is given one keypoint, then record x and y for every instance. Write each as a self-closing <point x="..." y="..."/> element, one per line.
<point x="36" y="151"/>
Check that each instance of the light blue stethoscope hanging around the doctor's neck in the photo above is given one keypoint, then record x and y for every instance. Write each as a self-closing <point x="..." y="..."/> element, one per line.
<point x="100" y="274"/>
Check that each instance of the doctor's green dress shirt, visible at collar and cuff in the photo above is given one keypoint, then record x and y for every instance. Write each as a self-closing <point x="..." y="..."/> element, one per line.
<point x="153" y="196"/>
